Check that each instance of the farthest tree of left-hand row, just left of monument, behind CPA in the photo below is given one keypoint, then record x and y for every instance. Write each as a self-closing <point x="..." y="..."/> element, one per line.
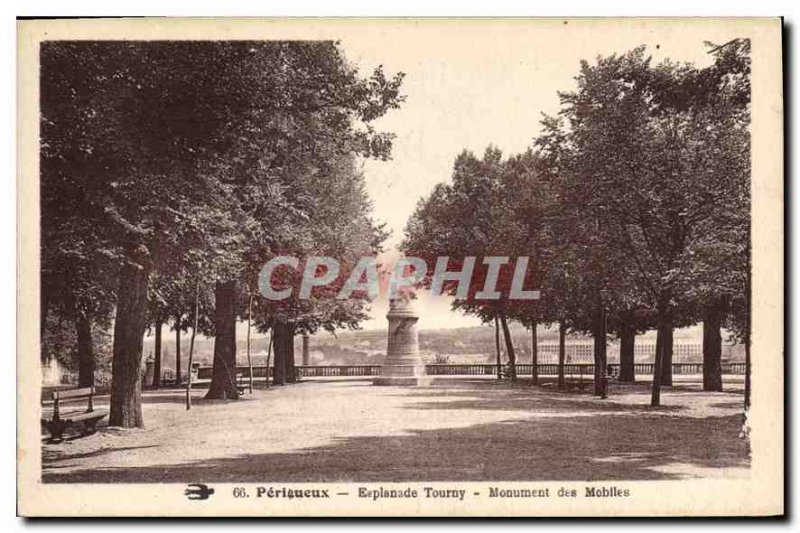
<point x="338" y="225"/>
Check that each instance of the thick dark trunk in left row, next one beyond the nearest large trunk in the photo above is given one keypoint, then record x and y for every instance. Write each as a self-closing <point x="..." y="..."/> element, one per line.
<point x="223" y="377"/>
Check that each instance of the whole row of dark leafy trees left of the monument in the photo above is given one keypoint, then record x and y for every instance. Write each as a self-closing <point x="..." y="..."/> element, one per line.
<point x="171" y="171"/>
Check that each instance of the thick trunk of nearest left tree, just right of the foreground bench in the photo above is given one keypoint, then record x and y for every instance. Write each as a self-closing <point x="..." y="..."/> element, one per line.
<point x="129" y="327"/>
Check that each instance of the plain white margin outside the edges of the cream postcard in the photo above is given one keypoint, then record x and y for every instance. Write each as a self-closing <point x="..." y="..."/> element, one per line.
<point x="298" y="8"/>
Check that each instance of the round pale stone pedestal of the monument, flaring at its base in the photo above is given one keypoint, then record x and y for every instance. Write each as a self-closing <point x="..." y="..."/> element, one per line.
<point x="403" y="364"/>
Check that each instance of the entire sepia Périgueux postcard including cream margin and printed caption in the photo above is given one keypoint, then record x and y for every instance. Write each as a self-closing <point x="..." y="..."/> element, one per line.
<point x="400" y="267"/>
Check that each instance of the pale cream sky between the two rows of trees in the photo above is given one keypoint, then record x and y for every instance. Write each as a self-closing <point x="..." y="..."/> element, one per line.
<point x="469" y="84"/>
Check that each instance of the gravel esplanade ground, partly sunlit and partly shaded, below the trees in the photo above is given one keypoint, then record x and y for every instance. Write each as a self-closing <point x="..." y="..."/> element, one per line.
<point x="455" y="429"/>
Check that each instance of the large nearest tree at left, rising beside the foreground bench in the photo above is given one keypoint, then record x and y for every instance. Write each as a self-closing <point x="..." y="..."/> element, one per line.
<point x="117" y="133"/>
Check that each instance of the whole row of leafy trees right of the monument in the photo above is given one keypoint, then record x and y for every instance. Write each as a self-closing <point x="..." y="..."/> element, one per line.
<point x="633" y="203"/>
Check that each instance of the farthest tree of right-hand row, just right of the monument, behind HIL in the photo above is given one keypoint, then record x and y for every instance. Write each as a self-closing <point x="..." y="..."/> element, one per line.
<point x="473" y="217"/>
